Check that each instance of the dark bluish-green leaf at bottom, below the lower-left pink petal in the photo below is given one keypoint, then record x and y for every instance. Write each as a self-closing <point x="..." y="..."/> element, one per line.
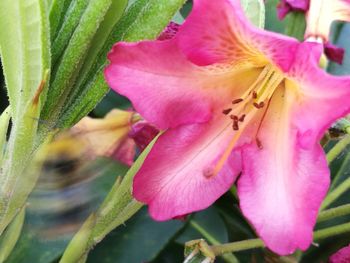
<point x="140" y="240"/>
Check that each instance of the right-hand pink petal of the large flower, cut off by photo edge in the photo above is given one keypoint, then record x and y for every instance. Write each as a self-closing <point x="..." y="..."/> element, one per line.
<point x="323" y="98"/>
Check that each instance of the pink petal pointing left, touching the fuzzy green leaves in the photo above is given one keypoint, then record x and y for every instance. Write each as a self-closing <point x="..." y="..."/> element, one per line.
<point x="166" y="88"/>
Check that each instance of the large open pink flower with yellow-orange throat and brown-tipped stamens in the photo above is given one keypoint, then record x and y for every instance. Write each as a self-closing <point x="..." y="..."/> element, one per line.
<point x="232" y="98"/>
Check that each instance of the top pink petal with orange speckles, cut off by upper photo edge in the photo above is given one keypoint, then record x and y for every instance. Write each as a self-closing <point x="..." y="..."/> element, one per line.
<point x="224" y="35"/>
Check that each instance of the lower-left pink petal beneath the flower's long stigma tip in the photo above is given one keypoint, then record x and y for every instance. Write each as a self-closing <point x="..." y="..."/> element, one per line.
<point x="177" y="175"/>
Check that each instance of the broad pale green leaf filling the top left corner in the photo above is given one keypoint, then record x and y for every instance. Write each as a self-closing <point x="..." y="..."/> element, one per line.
<point x="24" y="50"/>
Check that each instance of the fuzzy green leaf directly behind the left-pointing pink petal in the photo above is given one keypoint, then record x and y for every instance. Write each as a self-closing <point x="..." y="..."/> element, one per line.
<point x="145" y="19"/>
